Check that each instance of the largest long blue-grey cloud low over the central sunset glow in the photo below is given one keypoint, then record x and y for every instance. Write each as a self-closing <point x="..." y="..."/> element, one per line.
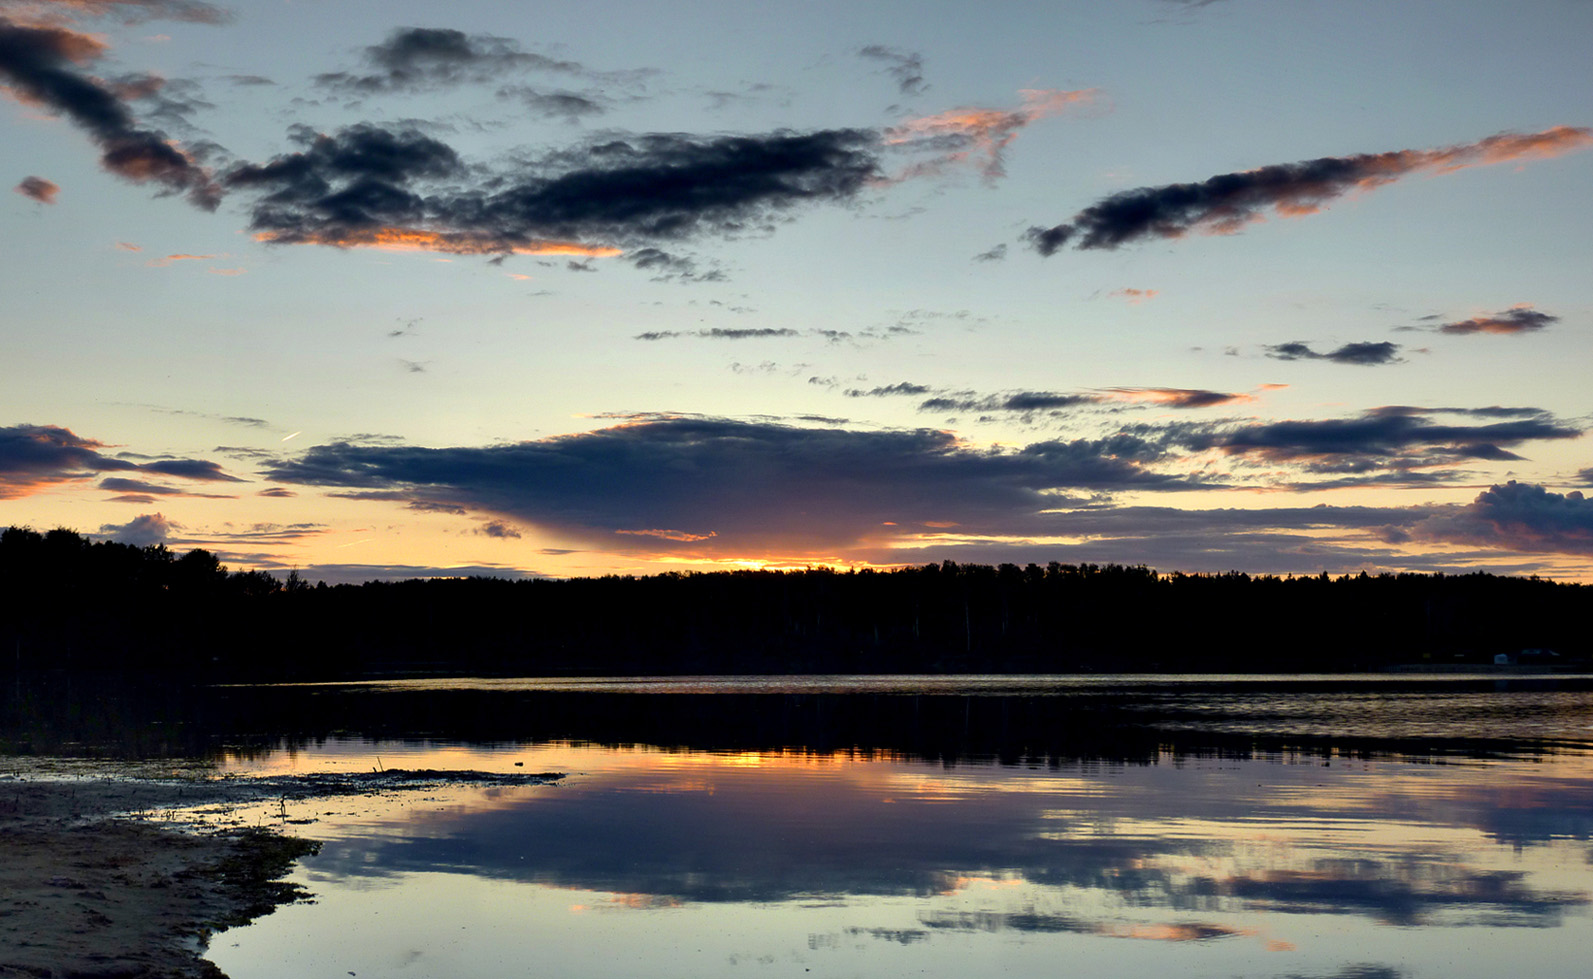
<point x="738" y="486"/>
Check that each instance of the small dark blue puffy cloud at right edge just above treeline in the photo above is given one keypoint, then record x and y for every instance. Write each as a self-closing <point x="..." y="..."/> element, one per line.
<point x="1519" y="517"/>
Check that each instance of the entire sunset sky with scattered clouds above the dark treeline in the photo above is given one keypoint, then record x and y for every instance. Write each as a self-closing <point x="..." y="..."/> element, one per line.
<point x="388" y="291"/>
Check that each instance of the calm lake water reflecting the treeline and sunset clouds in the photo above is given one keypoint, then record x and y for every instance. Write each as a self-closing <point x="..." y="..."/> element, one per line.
<point x="1347" y="829"/>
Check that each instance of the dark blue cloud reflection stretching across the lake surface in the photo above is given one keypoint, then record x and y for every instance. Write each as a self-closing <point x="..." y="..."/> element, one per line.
<point x="1202" y="840"/>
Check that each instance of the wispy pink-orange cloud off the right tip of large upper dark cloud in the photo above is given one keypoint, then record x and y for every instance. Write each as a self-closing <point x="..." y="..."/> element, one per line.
<point x="979" y="135"/>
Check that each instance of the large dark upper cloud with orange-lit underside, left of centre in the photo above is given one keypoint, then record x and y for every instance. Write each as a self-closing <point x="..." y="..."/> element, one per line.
<point x="367" y="185"/>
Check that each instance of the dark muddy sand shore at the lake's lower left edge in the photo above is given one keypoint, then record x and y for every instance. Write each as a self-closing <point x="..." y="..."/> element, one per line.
<point x="127" y="870"/>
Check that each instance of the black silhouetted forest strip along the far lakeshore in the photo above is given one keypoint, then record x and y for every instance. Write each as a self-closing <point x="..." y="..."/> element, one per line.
<point x="76" y="604"/>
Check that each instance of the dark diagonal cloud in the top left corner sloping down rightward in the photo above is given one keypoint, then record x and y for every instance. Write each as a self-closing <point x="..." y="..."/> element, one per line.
<point x="41" y="64"/>
